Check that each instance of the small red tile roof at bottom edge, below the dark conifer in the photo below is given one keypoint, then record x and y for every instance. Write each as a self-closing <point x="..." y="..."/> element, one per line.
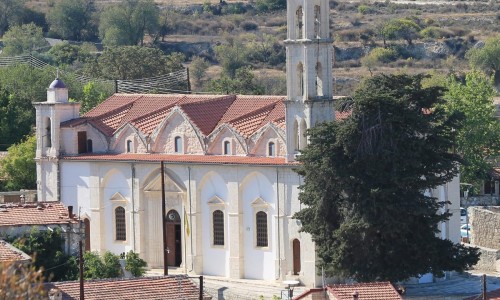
<point x="364" y="291"/>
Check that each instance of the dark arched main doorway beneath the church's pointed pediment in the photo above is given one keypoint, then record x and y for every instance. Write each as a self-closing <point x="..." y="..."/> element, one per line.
<point x="174" y="254"/>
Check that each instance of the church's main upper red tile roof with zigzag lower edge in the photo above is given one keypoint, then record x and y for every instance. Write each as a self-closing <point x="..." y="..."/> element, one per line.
<point x="246" y="114"/>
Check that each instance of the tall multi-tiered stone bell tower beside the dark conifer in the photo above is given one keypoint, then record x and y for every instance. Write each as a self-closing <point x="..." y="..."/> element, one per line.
<point x="309" y="56"/>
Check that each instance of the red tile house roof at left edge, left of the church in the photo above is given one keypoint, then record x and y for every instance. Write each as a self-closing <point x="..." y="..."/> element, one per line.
<point x="36" y="213"/>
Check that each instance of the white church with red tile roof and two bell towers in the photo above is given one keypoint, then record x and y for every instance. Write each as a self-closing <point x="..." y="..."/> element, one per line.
<point x="228" y="179"/>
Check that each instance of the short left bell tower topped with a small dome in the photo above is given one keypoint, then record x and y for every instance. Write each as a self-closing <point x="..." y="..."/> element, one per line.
<point x="49" y="115"/>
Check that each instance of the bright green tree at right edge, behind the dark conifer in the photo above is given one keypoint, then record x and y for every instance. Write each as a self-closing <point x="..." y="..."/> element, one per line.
<point x="478" y="139"/>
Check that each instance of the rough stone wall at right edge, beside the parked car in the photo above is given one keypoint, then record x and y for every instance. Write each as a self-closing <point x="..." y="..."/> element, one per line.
<point x="485" y="223"/>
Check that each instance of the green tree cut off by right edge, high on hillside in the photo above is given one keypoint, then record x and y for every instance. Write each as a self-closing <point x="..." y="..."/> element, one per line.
<point x="487" y="58"/>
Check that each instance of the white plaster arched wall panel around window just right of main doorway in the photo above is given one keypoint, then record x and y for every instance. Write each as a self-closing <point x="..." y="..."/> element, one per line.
<point x="216" y="258"/>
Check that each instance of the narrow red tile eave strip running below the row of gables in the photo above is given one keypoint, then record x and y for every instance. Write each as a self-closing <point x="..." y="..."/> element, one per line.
<point x="172" y="158"/>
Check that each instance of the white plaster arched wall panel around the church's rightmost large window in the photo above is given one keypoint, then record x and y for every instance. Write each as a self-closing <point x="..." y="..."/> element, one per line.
<point x="259" y="262"/>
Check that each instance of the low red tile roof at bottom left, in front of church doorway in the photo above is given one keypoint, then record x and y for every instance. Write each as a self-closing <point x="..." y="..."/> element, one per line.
<point x="141" y="288"/>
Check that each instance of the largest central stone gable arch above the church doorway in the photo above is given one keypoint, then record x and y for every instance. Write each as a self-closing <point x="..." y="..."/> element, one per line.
<point x="172" y="126"/>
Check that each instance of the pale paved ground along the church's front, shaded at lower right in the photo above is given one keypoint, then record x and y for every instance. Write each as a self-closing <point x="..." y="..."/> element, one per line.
<point x="458" y="286"/>
